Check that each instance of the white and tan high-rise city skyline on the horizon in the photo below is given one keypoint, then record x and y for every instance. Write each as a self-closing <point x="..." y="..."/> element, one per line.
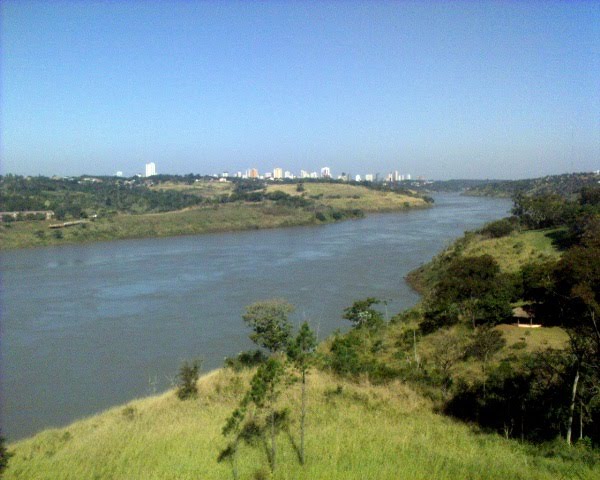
<point x="279" y="173"/>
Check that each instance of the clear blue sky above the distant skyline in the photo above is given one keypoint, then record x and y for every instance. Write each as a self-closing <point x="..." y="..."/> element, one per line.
<point x="440" y="89"/>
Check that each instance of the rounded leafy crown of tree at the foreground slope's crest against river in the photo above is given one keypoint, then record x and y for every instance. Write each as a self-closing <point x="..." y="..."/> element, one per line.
<point x="269" y="321"/>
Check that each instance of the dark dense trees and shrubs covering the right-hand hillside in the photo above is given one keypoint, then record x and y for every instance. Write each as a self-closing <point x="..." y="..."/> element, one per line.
<point x="530" y="394"/>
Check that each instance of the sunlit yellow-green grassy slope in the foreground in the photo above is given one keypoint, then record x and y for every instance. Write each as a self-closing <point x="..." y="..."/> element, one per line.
<point x="354" y="432"/>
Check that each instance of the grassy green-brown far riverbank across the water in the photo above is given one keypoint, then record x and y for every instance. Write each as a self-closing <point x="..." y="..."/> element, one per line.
<point x="329" y="203"/>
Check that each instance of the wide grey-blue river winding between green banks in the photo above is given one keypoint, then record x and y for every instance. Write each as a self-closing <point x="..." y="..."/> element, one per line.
<point x="87" y="327"/>
